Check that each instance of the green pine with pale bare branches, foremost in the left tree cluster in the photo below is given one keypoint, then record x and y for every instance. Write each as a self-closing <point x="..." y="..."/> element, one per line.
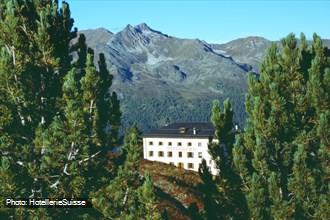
<point x="60" y="155"/>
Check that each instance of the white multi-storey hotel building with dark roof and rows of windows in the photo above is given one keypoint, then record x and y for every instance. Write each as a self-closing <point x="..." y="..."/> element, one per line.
<point x="181" y="144"/>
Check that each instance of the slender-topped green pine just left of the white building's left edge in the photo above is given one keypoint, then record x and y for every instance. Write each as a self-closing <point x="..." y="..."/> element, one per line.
<point x="119" y="199"/>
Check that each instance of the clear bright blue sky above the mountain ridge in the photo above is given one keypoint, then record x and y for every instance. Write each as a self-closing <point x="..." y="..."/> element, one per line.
<point x="215" y="21"/>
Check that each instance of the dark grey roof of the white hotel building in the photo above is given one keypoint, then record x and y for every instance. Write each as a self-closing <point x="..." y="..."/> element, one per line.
<point x="183" y="130"/>
